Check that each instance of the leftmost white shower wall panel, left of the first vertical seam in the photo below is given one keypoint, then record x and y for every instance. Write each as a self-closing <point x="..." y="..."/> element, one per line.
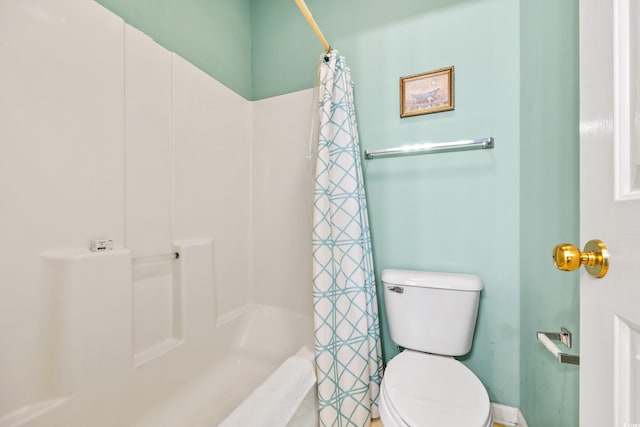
<point x="61" y="166"/>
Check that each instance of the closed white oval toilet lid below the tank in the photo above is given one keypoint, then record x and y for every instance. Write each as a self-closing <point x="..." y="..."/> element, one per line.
<point x="429" y="390"/>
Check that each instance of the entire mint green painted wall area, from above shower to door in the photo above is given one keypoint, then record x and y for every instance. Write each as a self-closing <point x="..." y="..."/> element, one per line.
<point x="496" y="213"/>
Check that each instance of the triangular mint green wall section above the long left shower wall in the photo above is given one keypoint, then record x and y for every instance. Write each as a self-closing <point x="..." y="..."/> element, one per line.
<point x="214" y="35"/>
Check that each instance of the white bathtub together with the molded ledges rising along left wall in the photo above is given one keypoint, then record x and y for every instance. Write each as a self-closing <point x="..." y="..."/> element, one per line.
<point x="117" y="357"/>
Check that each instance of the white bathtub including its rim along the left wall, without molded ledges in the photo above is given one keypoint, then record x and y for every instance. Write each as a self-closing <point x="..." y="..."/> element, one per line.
<point x="254" y="343"/>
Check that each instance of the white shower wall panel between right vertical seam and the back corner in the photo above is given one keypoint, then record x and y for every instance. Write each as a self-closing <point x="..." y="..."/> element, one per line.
<point x="211" y="128"/>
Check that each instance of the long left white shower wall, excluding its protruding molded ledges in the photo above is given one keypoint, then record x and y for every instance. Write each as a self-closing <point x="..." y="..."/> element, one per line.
<point x="106" y="135"/>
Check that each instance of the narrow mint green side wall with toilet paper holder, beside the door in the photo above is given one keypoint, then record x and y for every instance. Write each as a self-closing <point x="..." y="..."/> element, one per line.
<point x="549" y="204"/>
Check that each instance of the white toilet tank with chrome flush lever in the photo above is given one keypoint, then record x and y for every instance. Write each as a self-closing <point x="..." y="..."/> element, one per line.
<point x="432" y="312"/>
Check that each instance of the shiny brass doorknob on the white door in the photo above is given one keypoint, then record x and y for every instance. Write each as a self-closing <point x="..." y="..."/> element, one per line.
<point x="595" y="258"/>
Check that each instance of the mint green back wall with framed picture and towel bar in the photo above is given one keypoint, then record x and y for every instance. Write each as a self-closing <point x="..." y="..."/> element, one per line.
<point x="449" y="212"/>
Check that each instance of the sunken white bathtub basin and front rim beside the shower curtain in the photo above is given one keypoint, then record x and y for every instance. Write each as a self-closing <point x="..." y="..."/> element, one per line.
<point x="263" y="342"/>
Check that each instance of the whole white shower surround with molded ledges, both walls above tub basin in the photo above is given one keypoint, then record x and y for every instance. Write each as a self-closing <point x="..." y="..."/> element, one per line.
<point x="108" y="135"/>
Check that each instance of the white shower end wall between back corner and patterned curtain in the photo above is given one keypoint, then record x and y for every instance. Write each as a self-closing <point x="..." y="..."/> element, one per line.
<point x="282" y="197"/>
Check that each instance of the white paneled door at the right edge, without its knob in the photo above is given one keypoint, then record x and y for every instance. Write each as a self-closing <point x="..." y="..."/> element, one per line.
<point x="610" y="211"/>
